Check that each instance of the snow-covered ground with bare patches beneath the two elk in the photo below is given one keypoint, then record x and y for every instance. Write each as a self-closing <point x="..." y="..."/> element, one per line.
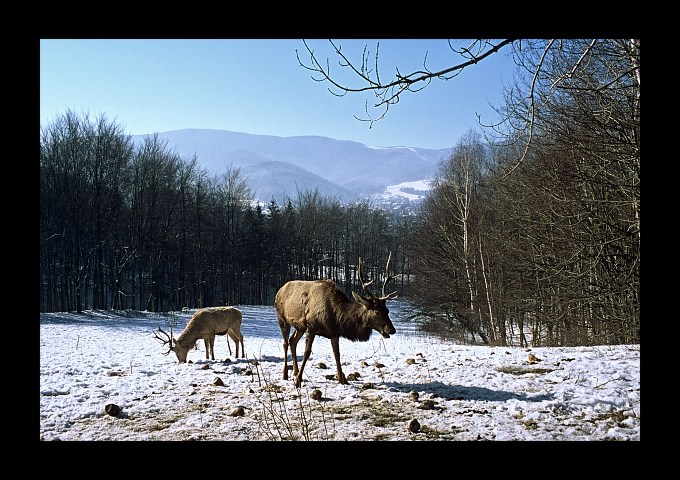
<point x="407" y="387"/>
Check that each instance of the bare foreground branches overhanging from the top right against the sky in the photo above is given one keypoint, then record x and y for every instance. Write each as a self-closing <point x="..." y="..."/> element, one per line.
<point x="545" y="68"/>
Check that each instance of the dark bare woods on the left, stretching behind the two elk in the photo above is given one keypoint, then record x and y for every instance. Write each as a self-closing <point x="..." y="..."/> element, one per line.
<point x="139" y="227"/>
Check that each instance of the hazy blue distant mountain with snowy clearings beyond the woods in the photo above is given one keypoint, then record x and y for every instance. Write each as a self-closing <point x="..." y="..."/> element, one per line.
<point x="280" y="167"/>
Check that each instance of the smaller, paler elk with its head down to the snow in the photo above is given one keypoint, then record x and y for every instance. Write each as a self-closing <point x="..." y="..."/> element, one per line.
<point x="205" y="324"/>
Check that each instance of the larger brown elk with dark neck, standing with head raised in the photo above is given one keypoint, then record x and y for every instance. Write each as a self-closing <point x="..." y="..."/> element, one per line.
<point x="319" y="307"/>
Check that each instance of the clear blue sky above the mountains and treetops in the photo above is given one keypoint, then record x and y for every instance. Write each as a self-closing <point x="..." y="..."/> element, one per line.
<point x="258" y="87"/>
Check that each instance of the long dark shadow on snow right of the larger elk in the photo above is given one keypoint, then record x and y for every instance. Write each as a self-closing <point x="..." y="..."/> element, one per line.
<point x="460" y="392"/>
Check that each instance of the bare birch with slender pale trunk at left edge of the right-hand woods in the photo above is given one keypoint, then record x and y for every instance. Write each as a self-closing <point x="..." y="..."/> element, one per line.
<point x="448" y="242"/>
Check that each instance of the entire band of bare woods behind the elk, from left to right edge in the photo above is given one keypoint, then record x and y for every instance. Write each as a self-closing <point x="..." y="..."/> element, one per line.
<point x="533" y="234"/>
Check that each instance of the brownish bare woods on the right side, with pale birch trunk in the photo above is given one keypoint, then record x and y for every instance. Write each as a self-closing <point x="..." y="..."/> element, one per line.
<point x="538" y="232"/>
